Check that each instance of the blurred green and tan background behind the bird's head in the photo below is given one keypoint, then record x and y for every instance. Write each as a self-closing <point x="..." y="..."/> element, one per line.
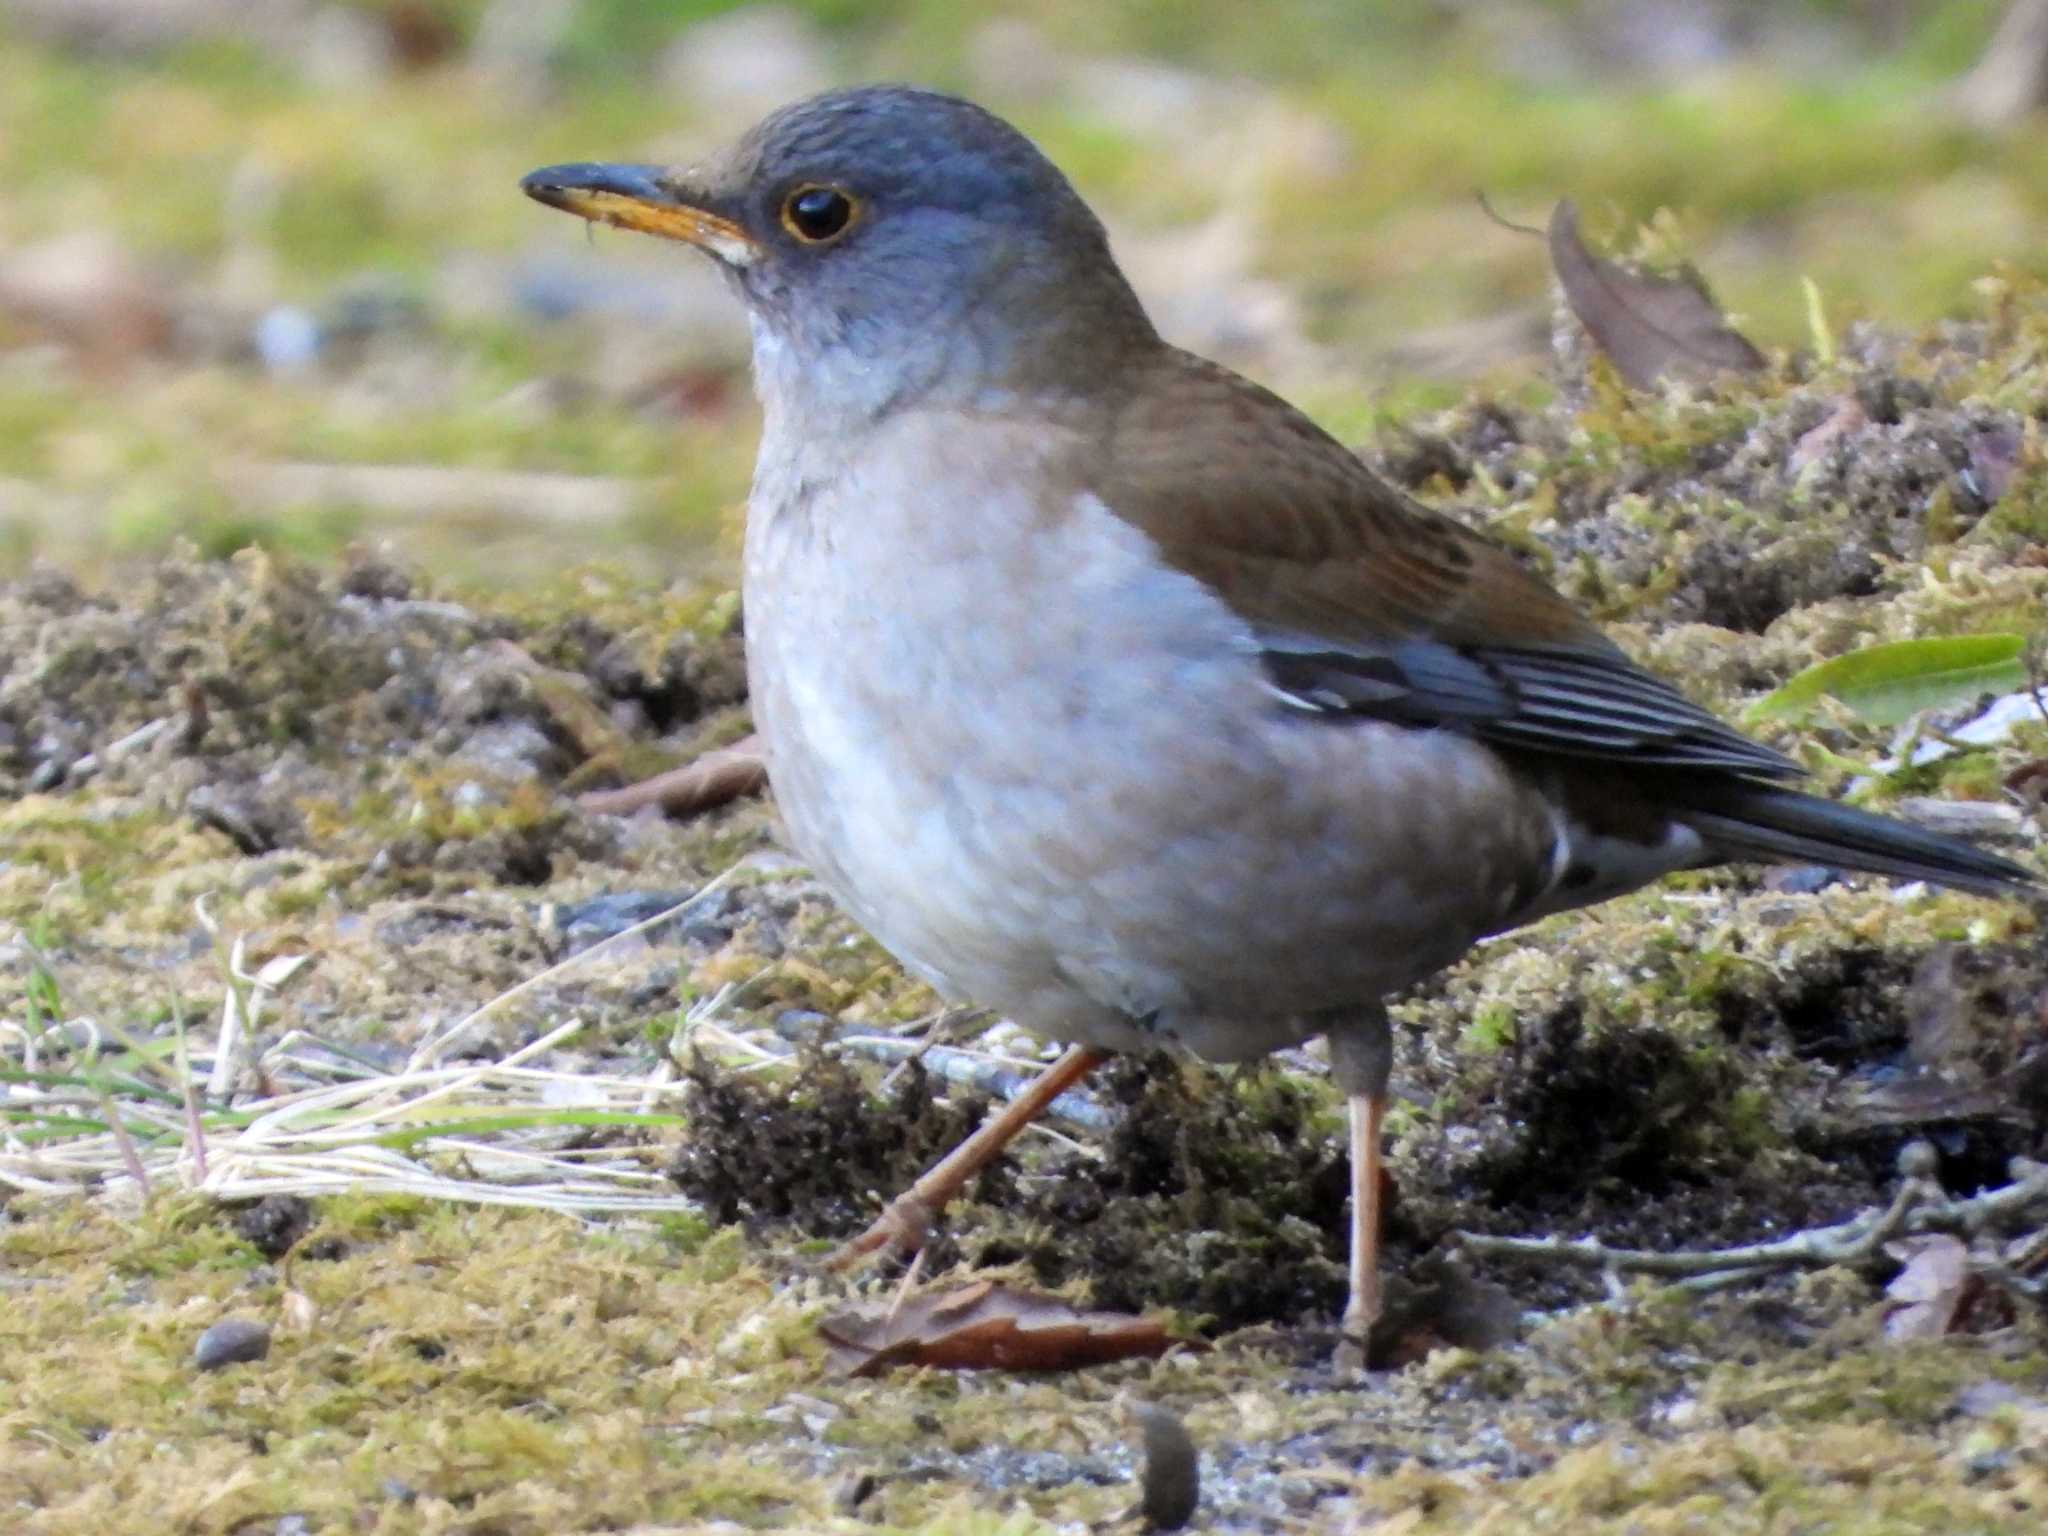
<point x="265" y="271"/>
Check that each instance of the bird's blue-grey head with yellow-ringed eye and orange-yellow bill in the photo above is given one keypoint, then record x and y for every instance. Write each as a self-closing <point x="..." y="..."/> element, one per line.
<point x="892" y="245"/>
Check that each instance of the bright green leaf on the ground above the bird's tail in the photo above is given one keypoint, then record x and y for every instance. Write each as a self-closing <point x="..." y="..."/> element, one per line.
<point x="1893" y="683"/>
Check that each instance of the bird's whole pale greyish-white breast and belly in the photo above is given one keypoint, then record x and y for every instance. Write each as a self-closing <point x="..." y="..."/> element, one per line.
<point x="1048" y="775"/>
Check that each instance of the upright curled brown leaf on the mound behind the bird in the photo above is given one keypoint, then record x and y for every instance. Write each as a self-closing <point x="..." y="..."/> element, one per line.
<point x="1650" y="327"/>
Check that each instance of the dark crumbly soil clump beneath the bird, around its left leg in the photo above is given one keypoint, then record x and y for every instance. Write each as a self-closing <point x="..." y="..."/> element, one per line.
<point x="1218" y="1195"/>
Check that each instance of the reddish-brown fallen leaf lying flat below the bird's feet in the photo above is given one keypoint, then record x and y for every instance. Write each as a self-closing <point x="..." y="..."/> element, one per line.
<point x="986" y="1326"/>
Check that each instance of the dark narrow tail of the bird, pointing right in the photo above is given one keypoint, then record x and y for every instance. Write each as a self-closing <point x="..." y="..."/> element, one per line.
<point x="1781" y="824"/>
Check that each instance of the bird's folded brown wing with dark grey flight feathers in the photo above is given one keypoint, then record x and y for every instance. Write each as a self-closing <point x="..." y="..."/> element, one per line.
<point x="1367" y="603"/>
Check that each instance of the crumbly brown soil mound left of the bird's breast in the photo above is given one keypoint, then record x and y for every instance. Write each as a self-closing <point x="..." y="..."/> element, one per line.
<point x="292" y="710"/>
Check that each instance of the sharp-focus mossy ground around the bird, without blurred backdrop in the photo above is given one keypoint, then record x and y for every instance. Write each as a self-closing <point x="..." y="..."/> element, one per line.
<point x="359" y="767"/>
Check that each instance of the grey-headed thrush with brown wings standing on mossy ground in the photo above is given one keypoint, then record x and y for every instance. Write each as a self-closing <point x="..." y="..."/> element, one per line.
<point x="1109" y="691"/>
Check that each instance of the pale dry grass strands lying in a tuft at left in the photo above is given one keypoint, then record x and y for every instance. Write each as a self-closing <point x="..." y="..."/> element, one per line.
<point x="509" y="1132"/>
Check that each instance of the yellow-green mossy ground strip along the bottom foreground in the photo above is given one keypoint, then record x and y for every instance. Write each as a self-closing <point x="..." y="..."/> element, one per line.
<point x="466" y="1371"/>
